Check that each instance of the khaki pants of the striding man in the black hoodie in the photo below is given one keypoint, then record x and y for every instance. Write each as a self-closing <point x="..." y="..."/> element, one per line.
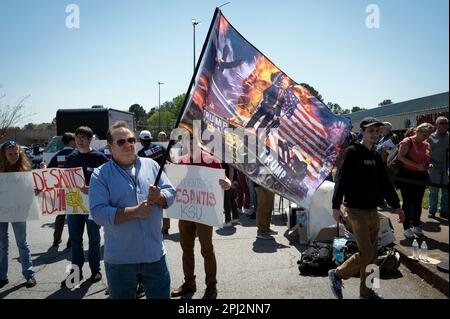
<point x="365" y="225"/>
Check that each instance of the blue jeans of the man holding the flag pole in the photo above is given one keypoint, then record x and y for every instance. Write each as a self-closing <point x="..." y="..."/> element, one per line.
<point x="122" y="279"/>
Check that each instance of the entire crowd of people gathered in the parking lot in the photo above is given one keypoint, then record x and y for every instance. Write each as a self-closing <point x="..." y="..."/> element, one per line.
<point x="125" y="203"/>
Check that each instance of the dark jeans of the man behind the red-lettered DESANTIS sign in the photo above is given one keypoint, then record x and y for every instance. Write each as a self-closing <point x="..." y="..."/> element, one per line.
<point x="76" y="229"/>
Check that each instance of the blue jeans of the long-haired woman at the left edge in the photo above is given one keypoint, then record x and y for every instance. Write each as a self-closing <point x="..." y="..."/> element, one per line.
<point x="20" y="232"/>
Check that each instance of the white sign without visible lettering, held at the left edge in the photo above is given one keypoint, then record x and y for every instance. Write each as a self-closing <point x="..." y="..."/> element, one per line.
<point x="16" y="200"/>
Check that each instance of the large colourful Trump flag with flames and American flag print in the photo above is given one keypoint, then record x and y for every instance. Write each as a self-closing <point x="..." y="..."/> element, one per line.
<point x="274" y="130"/>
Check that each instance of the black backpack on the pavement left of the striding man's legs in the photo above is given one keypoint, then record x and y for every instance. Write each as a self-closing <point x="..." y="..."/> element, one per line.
<point x="317" y="259"/>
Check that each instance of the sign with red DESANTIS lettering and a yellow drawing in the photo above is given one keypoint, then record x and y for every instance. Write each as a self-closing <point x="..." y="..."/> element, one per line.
<point x="60" y="191"/>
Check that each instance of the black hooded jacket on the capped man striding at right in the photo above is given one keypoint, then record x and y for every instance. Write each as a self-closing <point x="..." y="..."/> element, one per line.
<point x="362" y="181"/>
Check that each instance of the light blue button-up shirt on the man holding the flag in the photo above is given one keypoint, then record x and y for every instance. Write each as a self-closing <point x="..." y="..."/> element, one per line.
<point x="111" y="187"/>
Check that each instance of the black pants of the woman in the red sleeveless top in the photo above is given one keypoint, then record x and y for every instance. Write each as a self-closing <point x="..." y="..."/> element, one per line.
<point x="412" y="195"/>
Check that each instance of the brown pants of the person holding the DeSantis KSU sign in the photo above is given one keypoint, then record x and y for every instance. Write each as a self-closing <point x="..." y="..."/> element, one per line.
<point x="188" y="232"/>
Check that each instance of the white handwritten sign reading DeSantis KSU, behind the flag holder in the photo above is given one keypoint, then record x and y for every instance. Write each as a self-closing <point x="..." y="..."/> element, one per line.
<point x="199" y="197"/>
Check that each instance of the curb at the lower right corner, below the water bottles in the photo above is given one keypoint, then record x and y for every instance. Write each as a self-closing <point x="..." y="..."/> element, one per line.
<point x="423" y="271"/>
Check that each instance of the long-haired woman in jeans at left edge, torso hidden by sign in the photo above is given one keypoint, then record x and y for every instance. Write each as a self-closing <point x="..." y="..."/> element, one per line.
<point x="13" y="159"/>
